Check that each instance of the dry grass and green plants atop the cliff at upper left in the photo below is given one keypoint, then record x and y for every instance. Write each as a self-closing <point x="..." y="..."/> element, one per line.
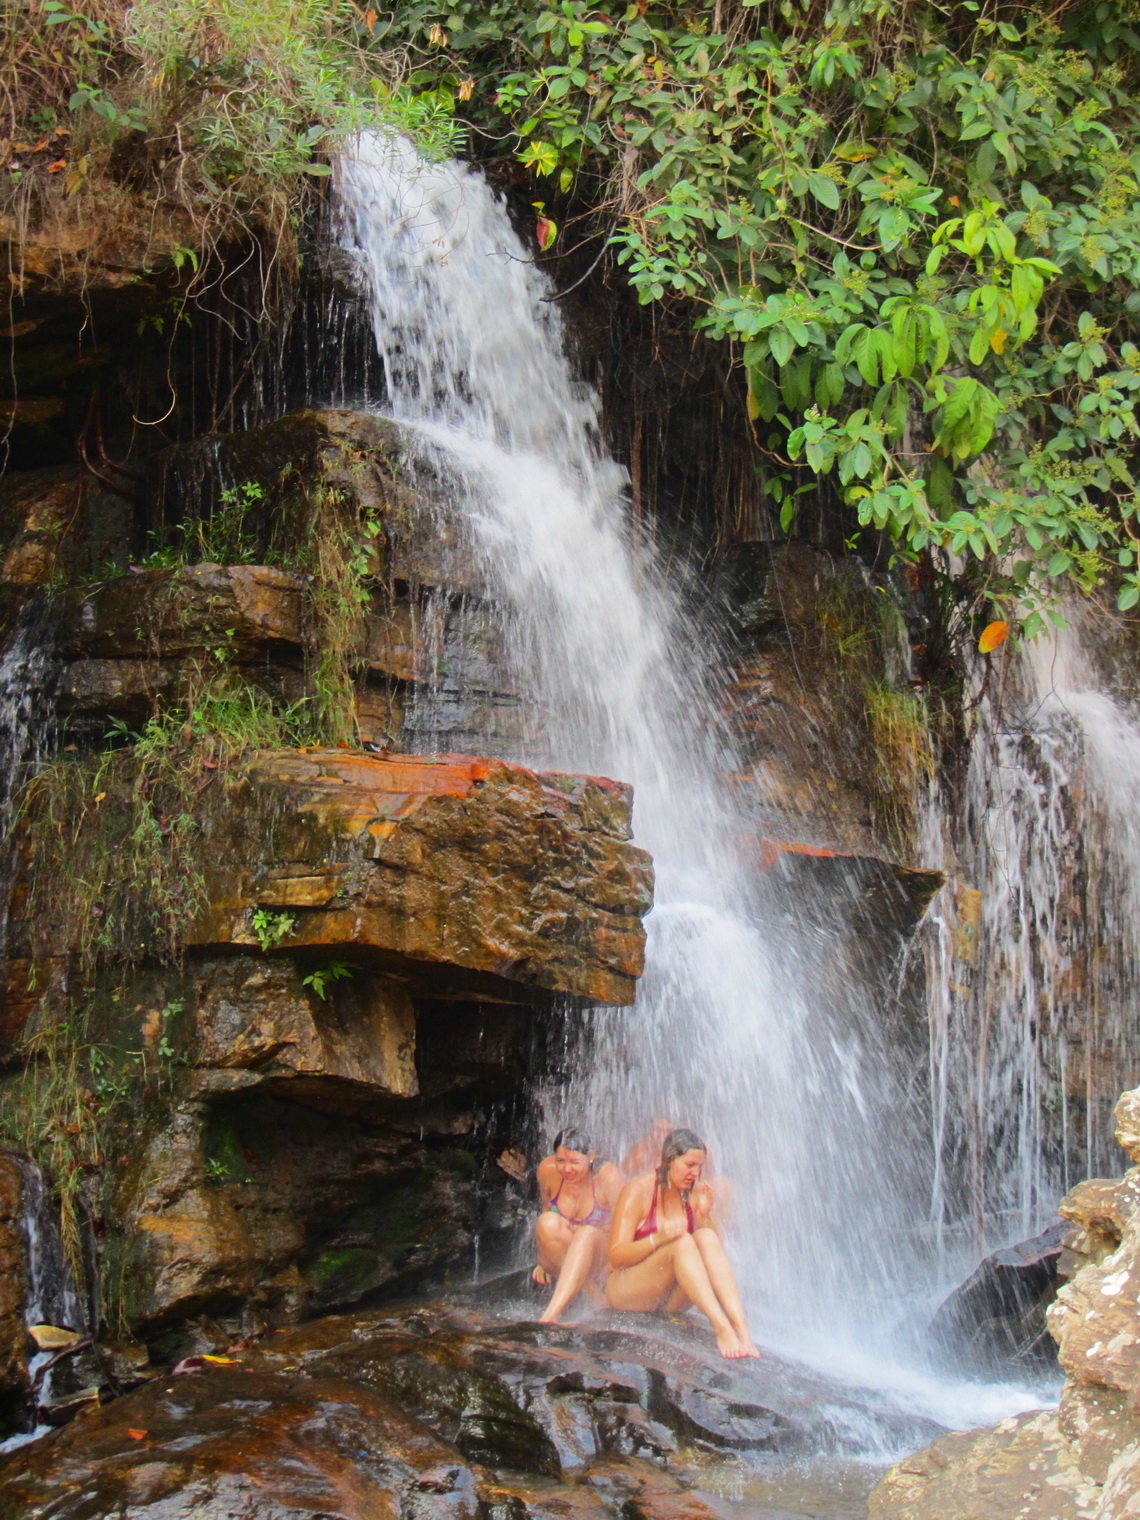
<point x="241" y="101"/>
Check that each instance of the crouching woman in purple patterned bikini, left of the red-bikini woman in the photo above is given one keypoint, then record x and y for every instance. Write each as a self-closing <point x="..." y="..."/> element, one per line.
<point x="574" y="1227"/>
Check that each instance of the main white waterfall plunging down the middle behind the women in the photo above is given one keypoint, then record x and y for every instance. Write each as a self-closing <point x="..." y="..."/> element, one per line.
<point x="738" y="1030"/>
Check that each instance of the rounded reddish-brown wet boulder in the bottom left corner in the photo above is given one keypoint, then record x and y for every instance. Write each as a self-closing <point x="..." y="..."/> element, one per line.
<point x="230" y="1442"/>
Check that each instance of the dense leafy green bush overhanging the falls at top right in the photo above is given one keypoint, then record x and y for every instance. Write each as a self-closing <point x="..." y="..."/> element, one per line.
<point x="917" y="226"/>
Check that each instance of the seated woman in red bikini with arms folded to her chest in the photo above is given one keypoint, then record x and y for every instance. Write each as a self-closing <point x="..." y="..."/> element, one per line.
<point x="665" y="1250"/>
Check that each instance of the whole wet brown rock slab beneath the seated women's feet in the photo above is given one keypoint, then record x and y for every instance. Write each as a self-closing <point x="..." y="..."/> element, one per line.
<point x="434" y="1411"/>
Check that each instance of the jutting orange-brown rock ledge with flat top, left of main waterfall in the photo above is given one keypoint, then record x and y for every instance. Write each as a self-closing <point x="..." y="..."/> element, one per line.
<point x="458" y="876"/>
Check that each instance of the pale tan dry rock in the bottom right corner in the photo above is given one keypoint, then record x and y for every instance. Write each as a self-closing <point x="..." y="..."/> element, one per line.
<point x="1081" y="1461"/>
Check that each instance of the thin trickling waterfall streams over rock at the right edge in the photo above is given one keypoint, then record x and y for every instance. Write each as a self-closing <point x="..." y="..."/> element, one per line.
<point x="1034" y="948"/>
